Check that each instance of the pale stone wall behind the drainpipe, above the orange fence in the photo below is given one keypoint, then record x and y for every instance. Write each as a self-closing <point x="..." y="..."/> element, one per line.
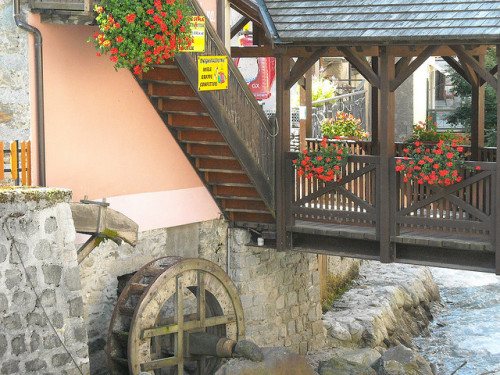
<point x="14" y="77"/>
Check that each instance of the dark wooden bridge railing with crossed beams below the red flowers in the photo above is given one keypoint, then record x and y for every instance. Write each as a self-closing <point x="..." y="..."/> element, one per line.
<point x="462" y="213"/>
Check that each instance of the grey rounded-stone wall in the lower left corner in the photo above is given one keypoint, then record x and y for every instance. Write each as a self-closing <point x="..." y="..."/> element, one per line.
<point x="41" y="307"/>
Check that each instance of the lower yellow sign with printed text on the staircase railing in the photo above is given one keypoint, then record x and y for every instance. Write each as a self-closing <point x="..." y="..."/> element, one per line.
<point x="212" y="73"/>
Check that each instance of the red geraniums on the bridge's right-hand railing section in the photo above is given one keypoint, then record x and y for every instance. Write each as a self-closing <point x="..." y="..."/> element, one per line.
<point x="441" y="164"/>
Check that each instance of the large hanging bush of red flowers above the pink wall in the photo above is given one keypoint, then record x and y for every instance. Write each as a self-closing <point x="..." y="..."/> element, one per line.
<point x="138" y="34"/>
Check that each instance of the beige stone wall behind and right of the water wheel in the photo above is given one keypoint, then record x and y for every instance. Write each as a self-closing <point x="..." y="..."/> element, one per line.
<point x="279" y="291"/>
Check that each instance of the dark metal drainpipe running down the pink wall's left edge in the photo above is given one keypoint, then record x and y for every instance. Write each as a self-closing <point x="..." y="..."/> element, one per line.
<point x="38" y="88"/>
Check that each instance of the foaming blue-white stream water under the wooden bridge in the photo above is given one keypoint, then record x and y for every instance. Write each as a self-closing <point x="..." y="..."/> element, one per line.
<point x="468" y="327"/>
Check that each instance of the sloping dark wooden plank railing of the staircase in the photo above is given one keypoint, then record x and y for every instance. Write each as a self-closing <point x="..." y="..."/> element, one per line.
<point x="237" y="114"/>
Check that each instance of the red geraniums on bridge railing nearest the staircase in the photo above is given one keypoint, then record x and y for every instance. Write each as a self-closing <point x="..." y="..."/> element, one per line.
<point x="325" y="163"/>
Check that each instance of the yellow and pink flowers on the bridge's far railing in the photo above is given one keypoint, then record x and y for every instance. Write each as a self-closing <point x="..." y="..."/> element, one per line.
<point x="344" y="125"/>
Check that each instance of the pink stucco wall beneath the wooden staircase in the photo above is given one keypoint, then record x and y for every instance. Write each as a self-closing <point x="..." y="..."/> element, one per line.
<point x="103" y="137"/>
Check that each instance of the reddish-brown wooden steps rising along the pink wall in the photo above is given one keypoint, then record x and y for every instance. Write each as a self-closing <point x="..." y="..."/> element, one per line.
<point x="216" y="162"/>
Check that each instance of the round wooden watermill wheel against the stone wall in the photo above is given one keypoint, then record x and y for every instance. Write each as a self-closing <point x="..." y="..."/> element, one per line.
<point x="164" y="303"/>
